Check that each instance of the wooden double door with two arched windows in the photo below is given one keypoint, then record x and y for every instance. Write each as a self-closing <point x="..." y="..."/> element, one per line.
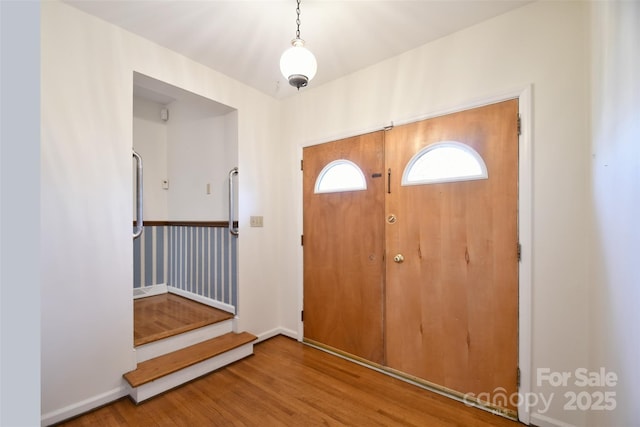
<point x="419" y="277"/>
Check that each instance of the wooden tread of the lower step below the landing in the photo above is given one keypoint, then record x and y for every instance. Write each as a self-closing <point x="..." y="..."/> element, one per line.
<point x="159" y="367"/>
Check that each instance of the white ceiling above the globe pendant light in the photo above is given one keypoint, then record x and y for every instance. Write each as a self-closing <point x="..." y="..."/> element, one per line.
<point x="244" y="39"/>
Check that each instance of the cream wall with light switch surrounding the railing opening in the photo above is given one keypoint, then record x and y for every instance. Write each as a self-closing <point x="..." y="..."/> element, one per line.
<point x="86" y="204"/>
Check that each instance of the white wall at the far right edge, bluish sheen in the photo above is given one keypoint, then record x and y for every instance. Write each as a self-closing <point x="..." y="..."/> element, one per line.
<point x="615" y="175"/>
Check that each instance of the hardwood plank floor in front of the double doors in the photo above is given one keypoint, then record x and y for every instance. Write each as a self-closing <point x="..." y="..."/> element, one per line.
<point x="286" y="383"/>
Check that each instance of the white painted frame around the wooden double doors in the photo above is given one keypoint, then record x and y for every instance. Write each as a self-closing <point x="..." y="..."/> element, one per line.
<point x="525" y="225"/>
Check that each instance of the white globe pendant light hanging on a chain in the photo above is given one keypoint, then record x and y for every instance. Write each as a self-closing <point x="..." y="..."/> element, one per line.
<point x="297" y="64"/>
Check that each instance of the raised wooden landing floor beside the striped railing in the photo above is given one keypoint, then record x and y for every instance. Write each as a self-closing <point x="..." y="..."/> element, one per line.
<point x="165" y="315"/>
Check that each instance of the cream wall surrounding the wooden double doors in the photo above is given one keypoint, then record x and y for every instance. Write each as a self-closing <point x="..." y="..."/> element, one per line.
<point x="545" y="45"/>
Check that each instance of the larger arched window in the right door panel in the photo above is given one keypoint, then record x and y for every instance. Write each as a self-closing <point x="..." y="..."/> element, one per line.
<point x="445" y="161"/>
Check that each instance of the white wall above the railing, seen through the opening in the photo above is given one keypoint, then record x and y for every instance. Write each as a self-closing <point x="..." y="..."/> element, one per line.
<point x="195" y="147"/>
